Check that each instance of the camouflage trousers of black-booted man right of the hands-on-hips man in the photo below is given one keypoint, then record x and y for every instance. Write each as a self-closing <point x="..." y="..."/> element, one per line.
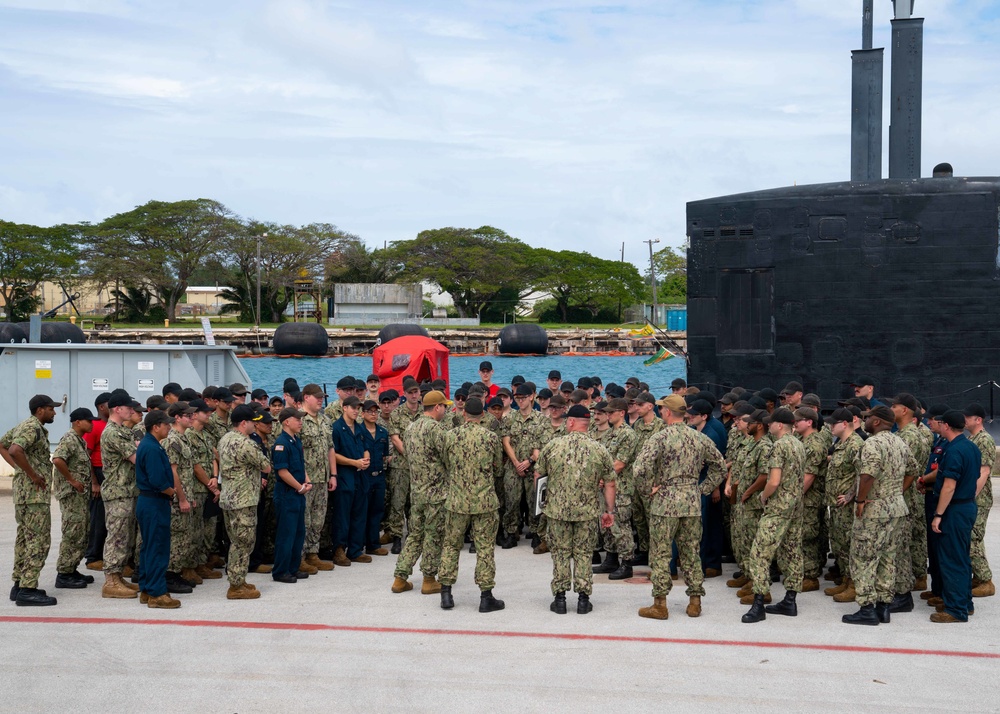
<point x="778" y="535"/>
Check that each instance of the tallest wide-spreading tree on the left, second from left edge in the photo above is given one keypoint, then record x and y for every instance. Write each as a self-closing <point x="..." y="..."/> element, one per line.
<point x="160" y="245"/>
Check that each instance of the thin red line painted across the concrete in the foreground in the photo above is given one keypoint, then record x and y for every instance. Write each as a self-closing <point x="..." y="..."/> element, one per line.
<point x="317" y="627"/>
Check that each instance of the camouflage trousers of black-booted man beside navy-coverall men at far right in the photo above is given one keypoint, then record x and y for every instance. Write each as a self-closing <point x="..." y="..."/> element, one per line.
<point x="873" y="558"/>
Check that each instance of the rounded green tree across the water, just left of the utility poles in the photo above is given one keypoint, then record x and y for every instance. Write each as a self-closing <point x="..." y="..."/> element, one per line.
<point x="583" y="281"/>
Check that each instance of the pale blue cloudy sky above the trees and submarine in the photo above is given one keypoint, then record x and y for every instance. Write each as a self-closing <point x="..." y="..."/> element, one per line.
<point x="568" y="125"/>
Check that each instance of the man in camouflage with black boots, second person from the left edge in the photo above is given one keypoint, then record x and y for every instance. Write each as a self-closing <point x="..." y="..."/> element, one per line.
<point x="71" y="479"/>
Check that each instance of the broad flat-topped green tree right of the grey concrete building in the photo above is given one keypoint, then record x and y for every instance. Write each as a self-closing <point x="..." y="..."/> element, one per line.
<point x="473" y="265"/>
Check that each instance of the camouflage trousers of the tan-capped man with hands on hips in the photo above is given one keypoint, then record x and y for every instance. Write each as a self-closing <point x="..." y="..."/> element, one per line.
<point x="686" y="531"/>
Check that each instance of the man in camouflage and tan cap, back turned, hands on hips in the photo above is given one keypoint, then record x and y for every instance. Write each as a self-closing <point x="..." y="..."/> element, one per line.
<point x="667" y="469"/>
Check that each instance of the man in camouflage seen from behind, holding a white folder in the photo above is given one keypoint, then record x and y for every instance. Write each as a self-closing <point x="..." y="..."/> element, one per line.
<point x="575" y="466"/>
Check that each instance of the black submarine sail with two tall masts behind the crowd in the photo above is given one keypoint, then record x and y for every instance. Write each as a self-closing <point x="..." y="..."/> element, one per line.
<point x="893" y="278"/>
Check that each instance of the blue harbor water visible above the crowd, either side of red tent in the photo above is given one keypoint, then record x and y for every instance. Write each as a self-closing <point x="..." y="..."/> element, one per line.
<point x="269" y="373"/>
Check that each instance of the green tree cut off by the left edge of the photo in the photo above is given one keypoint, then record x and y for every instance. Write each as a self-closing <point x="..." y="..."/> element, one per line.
<point x="30" y="255"/>
